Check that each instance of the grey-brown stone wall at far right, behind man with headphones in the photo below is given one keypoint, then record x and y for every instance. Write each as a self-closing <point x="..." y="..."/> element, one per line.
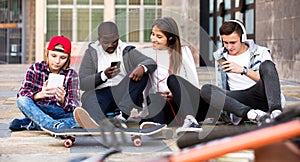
<point x="277" y="27"/>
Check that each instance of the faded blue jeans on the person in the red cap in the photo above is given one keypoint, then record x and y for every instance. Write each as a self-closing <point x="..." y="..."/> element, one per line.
<point x="45" y="115"/>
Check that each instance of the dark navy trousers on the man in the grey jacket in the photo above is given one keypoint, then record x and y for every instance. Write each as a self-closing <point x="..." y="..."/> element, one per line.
<point x="125" y="96"/>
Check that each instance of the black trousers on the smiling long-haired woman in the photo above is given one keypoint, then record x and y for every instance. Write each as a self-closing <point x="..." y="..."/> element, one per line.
<point x="186" y="101"/>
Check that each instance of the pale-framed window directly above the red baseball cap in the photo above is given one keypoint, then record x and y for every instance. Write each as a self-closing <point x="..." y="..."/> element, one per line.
<point x="76" y="19"/>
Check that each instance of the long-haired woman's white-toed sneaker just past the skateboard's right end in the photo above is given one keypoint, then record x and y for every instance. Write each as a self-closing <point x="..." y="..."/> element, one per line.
<point x="190" y="125"/>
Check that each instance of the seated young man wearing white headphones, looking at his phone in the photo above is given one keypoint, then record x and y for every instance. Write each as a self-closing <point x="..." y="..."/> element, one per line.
<point x="250" y="82"/>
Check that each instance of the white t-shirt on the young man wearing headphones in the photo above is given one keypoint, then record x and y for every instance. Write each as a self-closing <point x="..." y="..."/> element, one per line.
<point x="238" y="81"/>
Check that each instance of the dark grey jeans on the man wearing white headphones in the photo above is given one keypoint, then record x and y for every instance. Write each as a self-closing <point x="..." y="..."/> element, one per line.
<point x="264" y="95"/>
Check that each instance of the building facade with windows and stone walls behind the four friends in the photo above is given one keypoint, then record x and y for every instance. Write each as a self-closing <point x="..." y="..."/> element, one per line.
<point x="26" y="26"/>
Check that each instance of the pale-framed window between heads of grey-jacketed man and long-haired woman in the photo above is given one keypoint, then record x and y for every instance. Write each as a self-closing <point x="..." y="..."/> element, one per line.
<point x="135" y="17"/>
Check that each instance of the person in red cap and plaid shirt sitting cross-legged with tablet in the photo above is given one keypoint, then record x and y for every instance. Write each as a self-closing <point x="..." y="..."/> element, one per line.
<point x="44" y="105"/>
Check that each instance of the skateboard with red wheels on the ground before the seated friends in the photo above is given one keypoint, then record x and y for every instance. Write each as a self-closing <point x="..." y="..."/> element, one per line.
<point x="105" y="132"/>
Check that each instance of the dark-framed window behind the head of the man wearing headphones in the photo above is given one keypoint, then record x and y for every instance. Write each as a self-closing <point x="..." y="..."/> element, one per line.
<point x="223" y="10"/>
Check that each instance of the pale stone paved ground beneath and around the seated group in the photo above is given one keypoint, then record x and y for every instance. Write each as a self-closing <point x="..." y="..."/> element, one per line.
<point x="39" y="146"/>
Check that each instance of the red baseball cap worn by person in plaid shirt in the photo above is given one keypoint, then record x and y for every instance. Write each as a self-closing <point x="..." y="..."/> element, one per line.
<point x="64" y="41"/>
